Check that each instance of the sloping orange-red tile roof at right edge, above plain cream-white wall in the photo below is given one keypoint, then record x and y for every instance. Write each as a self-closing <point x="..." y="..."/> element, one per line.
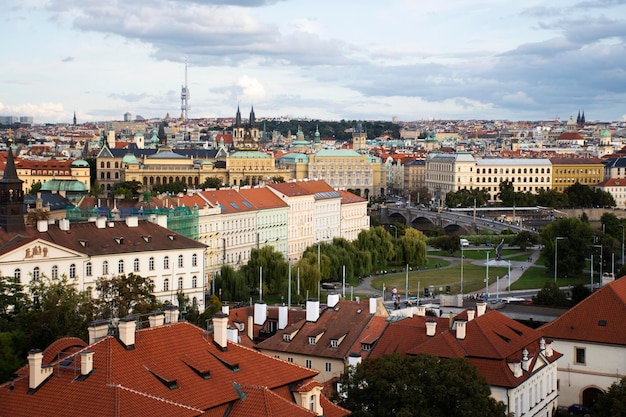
<point x="599" y="318"/>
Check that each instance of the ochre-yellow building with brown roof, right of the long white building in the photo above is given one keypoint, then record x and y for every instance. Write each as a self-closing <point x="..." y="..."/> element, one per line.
<point x="568" y="171"/>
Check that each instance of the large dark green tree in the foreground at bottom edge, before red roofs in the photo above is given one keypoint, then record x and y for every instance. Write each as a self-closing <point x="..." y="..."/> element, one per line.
<point x="402" y="386"/>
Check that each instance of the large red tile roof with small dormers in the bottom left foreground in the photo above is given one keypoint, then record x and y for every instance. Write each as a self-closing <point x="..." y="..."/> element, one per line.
<point x="130" y="382"/>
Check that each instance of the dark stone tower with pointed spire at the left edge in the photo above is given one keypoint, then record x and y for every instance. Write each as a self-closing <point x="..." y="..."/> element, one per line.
<point x="11" y="197"/>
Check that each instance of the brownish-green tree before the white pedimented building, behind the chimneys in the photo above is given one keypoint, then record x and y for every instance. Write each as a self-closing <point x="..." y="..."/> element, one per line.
<point x="125" y="294"/>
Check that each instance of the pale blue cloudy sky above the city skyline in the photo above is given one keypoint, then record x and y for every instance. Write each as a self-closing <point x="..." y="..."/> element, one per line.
<point x="319" y="59"/>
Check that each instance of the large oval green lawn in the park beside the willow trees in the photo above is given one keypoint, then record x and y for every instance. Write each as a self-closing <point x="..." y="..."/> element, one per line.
<point x="473" y="278"/>
